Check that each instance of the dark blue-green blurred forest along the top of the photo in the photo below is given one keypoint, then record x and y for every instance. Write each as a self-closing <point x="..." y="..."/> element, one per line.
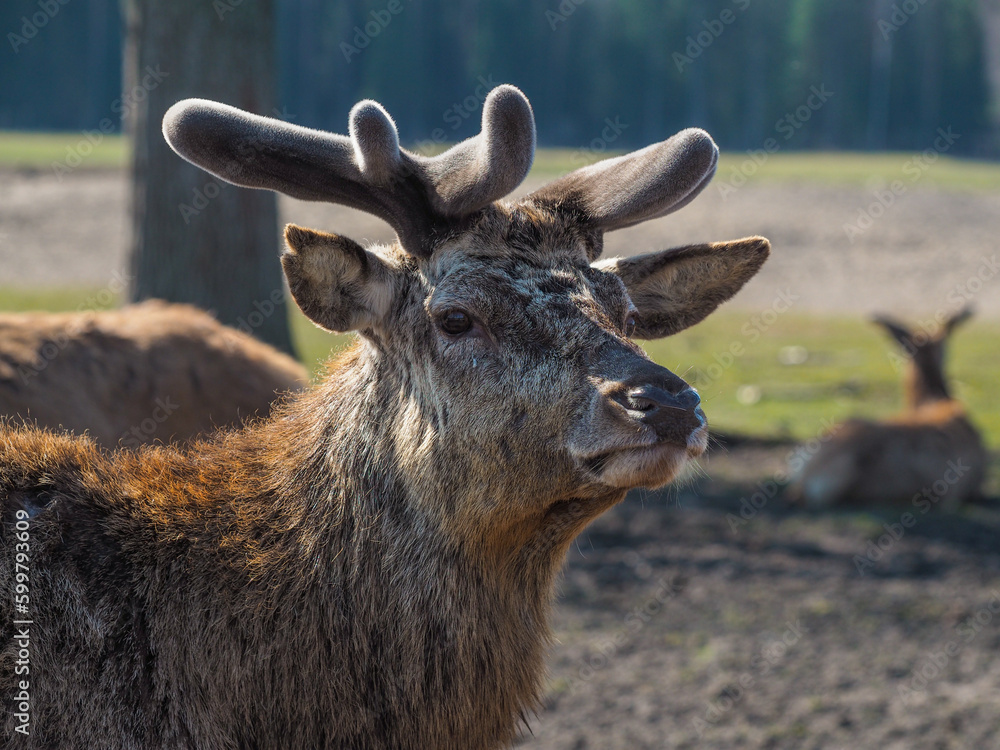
<point x="897" y="70"/>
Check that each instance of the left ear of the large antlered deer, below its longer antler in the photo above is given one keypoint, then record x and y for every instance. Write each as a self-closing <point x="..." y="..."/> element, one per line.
<point x="338" y="284"/>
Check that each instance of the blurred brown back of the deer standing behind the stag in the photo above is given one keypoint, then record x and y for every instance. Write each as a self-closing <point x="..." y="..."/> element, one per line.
<point x="148" y="372"/>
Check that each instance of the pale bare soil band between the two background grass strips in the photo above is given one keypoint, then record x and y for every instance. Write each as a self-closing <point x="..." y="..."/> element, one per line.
<point x="924" y="247"/>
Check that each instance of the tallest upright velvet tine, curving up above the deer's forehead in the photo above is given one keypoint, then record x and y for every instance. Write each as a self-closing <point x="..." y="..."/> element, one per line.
<point x="488" y="166"/>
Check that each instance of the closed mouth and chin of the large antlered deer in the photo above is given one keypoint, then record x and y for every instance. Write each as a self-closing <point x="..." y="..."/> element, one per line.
<point x="650" y="465"/>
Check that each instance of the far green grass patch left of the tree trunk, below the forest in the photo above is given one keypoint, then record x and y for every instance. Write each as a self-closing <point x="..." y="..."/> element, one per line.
<point x="40" y="150"/>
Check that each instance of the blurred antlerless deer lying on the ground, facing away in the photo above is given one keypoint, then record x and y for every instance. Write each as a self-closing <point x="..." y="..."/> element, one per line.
<point x="928" y="456"/>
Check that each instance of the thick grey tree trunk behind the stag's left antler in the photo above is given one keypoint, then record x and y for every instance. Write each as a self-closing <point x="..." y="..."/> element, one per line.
<point x="194" y="238"/>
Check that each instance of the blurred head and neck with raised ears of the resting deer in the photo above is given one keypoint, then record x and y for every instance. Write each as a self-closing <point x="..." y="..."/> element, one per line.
<point x="926" y="382"/>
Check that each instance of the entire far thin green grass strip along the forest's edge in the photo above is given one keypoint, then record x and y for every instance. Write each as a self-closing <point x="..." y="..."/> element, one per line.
<point x="40" y="150"/>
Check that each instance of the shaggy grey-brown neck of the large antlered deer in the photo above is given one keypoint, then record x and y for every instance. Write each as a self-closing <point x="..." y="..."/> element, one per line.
<point x="360" y="502"/>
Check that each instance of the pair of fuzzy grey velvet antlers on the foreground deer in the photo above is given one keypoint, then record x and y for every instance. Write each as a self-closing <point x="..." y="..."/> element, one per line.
<point x="420" y="196"/>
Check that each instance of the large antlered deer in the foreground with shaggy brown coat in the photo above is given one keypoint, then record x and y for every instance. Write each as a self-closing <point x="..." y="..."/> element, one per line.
<point x="374" y="565"/>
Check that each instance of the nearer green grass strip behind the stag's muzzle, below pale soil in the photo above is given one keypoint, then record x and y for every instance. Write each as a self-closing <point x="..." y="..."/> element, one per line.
<point x="847" y="370"/>
